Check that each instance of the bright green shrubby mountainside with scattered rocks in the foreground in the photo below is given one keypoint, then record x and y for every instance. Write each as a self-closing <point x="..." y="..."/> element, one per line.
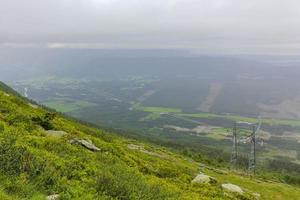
<point x="43" y="153"/>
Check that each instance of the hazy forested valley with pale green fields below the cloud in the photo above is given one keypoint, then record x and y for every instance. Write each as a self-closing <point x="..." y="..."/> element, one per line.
<point x="170" y="96"/>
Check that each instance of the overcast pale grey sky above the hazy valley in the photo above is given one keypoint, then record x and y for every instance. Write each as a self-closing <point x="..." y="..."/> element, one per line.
<point x="207" y="26"/>
